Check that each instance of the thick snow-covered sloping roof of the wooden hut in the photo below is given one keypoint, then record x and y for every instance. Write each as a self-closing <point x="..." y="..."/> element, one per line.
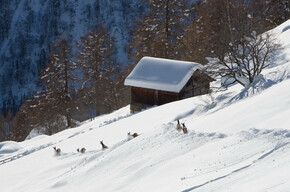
<point x="161" y="74"/>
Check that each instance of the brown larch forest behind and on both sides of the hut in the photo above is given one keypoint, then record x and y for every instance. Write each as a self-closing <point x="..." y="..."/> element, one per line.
<point x="81" y="80"/>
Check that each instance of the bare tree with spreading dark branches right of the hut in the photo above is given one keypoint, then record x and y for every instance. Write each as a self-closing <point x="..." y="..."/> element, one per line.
<point x="245" y="59"/>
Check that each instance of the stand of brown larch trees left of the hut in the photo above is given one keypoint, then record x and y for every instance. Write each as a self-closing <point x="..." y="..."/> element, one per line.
<point x="76" y="86"/>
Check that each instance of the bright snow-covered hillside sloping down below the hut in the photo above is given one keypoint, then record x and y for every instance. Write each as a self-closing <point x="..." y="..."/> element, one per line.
<point x="238" y="140"/>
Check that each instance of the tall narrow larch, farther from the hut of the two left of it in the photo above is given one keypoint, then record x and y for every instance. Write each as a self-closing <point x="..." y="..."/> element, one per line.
<point x="58" y="79"/>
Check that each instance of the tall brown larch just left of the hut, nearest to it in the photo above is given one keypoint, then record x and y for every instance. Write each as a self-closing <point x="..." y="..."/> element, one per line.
<point x="95" y="59"/>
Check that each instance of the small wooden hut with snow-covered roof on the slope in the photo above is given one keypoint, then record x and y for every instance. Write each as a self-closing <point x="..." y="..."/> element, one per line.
<point x="156" y="81"/>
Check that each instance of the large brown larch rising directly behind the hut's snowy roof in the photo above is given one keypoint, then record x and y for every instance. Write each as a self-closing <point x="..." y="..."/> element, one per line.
<point x="158" y="32"/>
